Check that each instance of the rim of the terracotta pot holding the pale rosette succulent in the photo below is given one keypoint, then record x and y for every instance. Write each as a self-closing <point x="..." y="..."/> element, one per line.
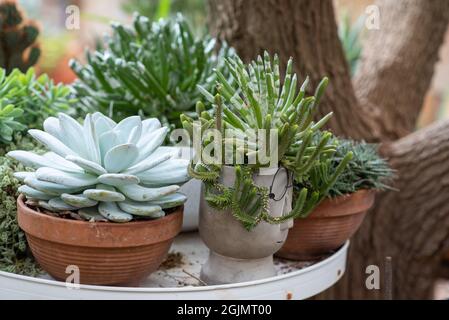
<point x="98" y="234"/>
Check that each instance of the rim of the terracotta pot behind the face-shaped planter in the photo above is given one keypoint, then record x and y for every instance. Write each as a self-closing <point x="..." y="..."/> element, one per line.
<point x="344" y="205"/>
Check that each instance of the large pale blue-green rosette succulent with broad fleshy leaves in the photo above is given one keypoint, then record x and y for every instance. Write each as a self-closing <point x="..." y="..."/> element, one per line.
<point x="103" y="170"/>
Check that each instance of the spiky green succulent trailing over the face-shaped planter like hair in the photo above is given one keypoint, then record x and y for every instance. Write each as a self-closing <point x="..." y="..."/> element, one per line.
<point x="255" y="99"/>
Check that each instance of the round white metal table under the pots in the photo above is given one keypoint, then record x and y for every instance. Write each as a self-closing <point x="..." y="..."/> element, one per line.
<point x="294" y="280"/>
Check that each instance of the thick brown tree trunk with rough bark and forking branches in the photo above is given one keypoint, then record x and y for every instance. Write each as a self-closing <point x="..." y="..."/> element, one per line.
<point x="382" y="104"/>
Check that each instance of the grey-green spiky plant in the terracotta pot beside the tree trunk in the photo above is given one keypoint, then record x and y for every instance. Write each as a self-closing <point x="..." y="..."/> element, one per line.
<point x="366" y="170"/>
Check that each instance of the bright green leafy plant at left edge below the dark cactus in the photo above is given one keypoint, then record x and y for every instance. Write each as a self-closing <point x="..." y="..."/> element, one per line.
<point x="26" y="100"/>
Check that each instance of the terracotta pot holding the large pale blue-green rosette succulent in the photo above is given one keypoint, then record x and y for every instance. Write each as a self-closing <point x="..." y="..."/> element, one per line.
<point x="106" y="253"/>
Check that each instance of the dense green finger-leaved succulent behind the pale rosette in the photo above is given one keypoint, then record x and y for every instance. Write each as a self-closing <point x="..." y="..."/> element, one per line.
<point x="149" y="68"/>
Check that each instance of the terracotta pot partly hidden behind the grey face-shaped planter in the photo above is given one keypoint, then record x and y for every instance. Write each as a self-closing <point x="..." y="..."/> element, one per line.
<point x="328" y="227"/>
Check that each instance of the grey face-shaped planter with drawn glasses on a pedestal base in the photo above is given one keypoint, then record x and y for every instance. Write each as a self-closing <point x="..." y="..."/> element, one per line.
<point x="236" y="254"/>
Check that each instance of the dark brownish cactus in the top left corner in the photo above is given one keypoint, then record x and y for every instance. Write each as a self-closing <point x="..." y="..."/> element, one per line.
<point x="18" y="36"/>
